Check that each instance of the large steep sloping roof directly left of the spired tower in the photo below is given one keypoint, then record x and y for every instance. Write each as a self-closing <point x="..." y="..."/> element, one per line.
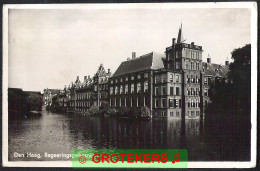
<point x="148" y="61"/>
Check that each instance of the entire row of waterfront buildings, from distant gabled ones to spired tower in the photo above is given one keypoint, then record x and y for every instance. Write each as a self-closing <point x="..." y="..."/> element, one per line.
<point x="174" y="84"/>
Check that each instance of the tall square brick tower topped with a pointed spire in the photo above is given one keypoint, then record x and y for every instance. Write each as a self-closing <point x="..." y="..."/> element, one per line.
<point x="187" y="59"/>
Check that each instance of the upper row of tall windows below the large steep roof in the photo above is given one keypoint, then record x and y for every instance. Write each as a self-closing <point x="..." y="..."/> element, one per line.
<point x="123" y="89"/>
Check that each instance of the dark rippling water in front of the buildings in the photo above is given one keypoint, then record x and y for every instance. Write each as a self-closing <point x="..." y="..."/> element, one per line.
<point x="56" y="133"/>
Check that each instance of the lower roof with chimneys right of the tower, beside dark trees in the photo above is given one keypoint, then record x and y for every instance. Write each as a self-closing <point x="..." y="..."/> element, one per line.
<point x="210" y="69"/>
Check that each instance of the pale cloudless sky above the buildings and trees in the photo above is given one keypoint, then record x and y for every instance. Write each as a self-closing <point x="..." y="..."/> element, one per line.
<point x="49" y="48"/>
